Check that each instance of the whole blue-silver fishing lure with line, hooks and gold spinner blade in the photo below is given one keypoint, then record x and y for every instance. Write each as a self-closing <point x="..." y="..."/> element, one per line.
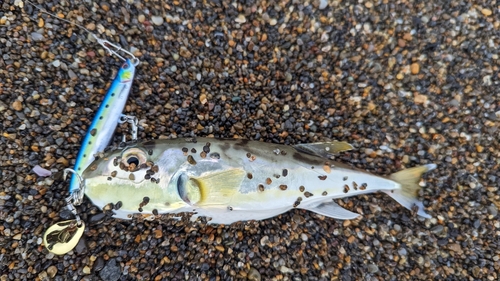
<point x="63" y="236"/>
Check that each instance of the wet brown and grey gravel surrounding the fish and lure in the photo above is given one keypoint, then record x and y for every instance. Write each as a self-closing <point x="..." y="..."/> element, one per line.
<point x="405" y="82"/>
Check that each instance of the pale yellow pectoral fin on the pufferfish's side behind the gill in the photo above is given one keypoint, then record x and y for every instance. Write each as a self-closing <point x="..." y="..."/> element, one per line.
<point x="217" y="188"/>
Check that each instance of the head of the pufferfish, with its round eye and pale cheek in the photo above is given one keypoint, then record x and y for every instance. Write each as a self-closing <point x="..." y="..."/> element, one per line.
<point x="132" y="174"/>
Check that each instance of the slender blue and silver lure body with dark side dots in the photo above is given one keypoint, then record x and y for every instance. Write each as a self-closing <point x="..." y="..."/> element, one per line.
<point x="105" y="121"/>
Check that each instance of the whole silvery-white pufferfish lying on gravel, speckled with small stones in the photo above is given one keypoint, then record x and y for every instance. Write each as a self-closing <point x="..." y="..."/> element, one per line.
<point x="230" y="180"/>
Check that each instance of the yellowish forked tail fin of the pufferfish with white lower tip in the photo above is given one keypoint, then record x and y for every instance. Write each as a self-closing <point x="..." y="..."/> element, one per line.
<point x="407" y="195"/>
